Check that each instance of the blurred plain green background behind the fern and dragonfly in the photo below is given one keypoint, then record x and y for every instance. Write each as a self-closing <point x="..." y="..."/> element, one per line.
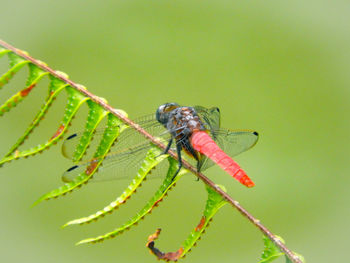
<point x="281" y="68"/>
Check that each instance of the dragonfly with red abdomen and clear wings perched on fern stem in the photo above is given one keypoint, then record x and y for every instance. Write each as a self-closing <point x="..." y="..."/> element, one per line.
<point x="194" y="131"/>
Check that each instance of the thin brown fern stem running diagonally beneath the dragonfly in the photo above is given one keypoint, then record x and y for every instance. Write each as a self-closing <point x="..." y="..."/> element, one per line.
<point x="294" y="258"/>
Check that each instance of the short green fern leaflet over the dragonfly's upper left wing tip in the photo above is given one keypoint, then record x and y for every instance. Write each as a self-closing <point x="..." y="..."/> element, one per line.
<point x="96" y="114"/>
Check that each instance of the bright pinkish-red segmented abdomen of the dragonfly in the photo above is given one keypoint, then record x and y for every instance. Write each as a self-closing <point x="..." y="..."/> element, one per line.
<point x="204" y="144"/>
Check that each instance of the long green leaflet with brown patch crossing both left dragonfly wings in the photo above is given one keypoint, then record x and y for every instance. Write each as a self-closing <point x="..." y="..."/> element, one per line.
<point x="113" y="129"/>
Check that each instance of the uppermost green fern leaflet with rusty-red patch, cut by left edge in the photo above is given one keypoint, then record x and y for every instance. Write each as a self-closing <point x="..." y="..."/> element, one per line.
<point x="35" y="74"/>
